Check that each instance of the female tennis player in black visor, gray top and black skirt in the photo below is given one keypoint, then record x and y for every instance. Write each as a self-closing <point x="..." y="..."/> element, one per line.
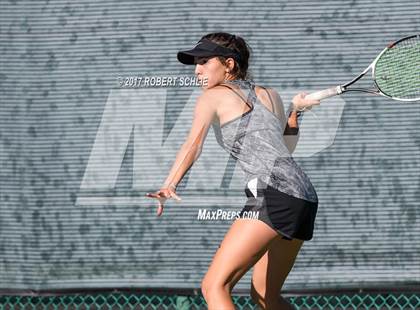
<point x="249" y="122"/>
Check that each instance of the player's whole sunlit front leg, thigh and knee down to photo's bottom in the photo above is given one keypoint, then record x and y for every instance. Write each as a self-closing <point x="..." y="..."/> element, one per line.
<point x="244" y="244"/>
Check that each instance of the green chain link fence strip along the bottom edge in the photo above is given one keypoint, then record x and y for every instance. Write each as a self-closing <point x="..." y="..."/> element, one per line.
<point x="127" y="301"/>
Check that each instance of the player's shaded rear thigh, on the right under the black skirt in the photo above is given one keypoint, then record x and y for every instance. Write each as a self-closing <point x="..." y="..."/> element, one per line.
<point x="272" y="268"/>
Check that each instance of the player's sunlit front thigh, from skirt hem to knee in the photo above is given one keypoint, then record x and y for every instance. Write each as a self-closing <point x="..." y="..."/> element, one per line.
<point x="243" y="245"/>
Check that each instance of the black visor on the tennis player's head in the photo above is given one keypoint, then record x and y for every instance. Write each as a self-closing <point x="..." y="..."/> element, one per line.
<point x="205" y="48"/>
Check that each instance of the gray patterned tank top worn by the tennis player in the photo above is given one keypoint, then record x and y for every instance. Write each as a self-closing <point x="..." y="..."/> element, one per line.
<point x="255" y="140"/>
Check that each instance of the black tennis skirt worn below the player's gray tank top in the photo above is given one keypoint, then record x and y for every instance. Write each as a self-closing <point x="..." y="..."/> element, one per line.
<point x="291" y="217"/>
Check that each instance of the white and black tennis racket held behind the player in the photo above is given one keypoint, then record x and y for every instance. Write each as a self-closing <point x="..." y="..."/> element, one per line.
<point x="395" y="73"/>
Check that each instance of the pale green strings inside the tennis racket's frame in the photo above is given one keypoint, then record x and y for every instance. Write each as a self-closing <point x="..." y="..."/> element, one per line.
<point x="397" y="71"/>
